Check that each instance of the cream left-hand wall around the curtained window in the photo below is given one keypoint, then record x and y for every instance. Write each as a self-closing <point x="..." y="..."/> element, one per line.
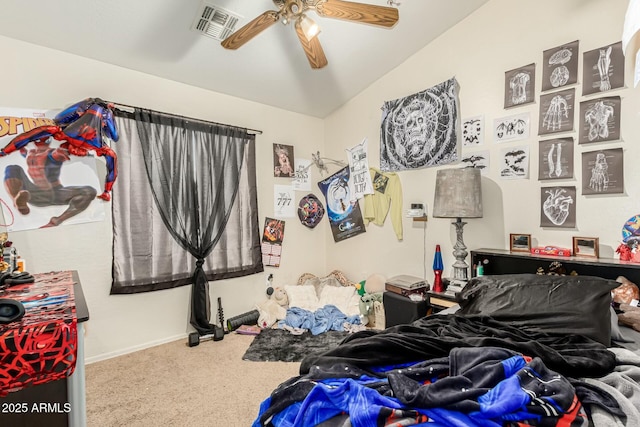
<point x="41" y="78"/>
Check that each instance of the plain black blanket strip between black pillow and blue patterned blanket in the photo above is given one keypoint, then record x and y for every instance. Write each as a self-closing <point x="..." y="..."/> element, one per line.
<point x="435" y="336"/>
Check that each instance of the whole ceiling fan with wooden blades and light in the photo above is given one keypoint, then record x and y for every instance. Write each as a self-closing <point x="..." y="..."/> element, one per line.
<point x="307" y="30"/>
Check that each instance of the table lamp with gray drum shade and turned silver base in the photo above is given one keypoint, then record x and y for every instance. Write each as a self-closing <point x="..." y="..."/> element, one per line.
<point x="458" y="195"/>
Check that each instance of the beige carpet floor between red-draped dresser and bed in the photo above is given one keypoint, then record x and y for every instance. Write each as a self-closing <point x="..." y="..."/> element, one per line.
<point x="176" y="385"/>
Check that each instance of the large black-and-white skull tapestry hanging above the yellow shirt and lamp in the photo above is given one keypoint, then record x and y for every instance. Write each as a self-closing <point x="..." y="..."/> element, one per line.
<point x="421" y="130"/>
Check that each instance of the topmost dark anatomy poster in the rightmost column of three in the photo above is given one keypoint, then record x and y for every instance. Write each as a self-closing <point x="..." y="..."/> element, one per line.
<point x="603" y="69"/>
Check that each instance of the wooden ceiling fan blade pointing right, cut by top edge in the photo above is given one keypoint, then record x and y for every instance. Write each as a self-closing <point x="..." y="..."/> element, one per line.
<point x="359" y="12"/>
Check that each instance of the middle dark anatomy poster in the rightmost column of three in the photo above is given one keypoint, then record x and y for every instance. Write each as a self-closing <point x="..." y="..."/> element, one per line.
<point x="599" y="120"/>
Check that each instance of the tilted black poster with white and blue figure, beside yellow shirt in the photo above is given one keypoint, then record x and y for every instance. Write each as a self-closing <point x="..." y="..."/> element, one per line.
<point x="344" y="213"/>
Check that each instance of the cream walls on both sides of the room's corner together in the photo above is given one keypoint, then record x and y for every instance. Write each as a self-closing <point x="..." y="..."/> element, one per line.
<point x="500" y="36"/>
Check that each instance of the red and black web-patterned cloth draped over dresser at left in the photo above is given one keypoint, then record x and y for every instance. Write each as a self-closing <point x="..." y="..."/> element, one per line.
<point x="43" y="345"/>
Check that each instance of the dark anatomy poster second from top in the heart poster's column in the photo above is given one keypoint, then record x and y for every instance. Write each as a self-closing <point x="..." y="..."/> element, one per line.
<point x="556" y="112"/>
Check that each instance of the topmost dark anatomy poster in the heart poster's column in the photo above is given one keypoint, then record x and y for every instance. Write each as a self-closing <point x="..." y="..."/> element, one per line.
<point x="560" y="66"/>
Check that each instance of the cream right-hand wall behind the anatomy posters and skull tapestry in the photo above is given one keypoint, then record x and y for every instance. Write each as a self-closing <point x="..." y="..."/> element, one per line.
<point x="500" y="36"/>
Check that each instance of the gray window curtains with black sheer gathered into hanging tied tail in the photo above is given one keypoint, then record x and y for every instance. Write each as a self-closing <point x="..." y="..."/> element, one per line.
<point x="184" y="206"/>
